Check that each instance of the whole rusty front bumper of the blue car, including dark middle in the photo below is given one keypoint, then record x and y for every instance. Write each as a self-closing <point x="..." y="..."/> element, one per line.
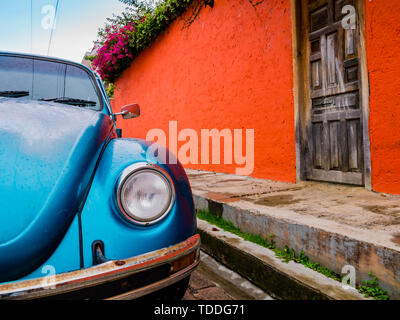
<point x="117" y="279"/>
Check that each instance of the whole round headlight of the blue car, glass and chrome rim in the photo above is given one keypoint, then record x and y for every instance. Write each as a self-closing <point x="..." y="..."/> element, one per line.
<point x="145" y="194"/>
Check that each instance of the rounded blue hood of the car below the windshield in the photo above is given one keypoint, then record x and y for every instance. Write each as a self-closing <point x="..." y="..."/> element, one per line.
<point x="48" y="152"/>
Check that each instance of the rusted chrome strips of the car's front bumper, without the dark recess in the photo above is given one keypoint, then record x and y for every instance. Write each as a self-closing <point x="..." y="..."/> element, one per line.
<point x="109" y="272"/>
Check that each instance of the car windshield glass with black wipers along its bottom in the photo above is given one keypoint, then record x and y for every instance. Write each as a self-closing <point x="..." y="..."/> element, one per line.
<point x="35" y="79"/>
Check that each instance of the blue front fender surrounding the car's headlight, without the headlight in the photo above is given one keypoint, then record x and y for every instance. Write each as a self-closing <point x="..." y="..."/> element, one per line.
<point x="102" y="220"/>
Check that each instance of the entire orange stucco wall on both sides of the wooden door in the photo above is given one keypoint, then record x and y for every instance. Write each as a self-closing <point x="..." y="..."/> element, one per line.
<point x="232" y="69"/>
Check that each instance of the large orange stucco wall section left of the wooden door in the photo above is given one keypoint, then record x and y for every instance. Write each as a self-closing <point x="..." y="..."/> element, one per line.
<point x="232" y="69"/>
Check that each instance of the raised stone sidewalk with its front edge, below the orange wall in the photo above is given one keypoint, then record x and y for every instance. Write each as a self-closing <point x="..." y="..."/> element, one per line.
<point x="334" y="225"/>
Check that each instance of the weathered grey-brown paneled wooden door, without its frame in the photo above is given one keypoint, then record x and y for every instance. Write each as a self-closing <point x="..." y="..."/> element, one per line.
<point x="334" y="139"/>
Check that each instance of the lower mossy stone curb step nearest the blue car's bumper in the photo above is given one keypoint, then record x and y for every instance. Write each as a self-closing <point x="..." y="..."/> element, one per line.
<point x="287" y="281"/>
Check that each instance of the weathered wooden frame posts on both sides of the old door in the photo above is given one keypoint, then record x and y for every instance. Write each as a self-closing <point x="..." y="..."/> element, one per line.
<point x="301" y="92"/>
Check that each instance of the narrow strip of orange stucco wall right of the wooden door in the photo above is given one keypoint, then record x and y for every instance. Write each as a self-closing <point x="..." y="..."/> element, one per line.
<point x="383" y="55"/>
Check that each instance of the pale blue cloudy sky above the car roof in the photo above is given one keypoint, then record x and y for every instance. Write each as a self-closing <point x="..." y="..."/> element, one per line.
<point x="75" y="26"/>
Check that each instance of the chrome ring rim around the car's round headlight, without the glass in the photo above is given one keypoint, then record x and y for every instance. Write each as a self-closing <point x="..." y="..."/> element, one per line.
<point x="135" y="169"/>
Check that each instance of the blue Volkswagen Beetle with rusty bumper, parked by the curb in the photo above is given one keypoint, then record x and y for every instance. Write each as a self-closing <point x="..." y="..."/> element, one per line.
<point x="84" y="214"/>
